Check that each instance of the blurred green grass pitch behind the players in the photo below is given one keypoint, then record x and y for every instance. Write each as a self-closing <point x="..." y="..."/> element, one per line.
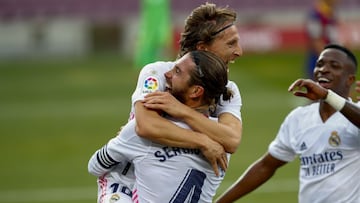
<point x="55" y="113"/>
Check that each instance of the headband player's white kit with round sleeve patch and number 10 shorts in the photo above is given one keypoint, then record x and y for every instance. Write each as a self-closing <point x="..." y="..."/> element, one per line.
<point x="151" y="79"/>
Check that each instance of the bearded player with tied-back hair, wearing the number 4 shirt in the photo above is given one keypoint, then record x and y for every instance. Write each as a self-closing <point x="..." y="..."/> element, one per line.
<point x="164" y="173"/>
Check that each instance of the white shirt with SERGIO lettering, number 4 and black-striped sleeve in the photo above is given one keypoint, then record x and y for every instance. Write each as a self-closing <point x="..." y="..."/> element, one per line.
<point x="163" y="173"/>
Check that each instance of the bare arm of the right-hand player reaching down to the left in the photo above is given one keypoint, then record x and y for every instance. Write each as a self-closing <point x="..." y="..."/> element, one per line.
<point x="257" y="174"/>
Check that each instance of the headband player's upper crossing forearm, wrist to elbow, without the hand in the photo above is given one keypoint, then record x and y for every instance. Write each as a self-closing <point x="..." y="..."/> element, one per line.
<point x="227" y="131"/>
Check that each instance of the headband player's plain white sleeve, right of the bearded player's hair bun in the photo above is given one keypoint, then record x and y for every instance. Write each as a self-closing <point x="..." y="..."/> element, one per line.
<point x="233" y="106"/>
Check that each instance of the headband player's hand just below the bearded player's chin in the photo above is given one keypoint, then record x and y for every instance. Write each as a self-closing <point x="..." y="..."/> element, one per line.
<point x="166" y="102"/>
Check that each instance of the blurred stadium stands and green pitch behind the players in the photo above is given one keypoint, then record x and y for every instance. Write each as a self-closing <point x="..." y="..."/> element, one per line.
<point x="66" y="76"/>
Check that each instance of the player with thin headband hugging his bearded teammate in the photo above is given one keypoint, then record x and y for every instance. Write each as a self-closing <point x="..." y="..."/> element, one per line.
<point x="209" y="28"/>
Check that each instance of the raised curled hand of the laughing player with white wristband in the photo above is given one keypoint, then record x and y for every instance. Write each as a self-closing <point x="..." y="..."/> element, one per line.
<point x="312" y="91"/>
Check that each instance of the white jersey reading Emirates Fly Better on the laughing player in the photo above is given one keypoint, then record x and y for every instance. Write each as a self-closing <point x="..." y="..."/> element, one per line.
<point x="329" y="154"/>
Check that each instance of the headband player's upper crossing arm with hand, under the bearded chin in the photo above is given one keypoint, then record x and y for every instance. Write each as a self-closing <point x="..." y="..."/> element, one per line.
<point x="227" y="131"/>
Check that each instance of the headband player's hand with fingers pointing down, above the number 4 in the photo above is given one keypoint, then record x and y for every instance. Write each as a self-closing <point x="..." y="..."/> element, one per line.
<point x="216" y="155"/>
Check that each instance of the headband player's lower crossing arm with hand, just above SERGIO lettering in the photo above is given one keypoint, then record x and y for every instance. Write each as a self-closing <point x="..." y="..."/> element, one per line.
<point x="152" y="126"/>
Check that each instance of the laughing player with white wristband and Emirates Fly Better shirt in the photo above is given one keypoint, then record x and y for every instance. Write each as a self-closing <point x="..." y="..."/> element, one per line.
<point x="325" y="135"/>
